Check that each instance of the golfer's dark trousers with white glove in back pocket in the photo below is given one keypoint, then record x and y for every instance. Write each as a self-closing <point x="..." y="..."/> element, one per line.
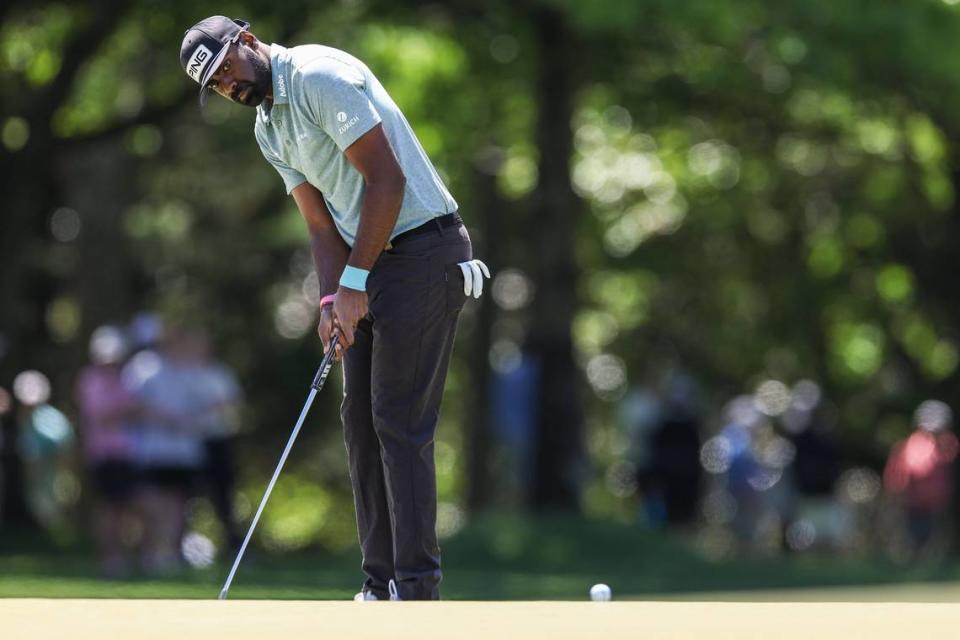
<point x="394" y="377"/>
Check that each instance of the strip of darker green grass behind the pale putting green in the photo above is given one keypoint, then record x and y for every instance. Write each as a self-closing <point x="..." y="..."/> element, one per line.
<point x="495" y="558"/>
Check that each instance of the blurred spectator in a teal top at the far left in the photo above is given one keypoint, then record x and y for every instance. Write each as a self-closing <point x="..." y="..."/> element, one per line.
<point x="45" y="443"/>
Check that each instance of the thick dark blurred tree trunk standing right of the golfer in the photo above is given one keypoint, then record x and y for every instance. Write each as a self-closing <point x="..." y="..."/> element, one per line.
<point x="559" y="449"/>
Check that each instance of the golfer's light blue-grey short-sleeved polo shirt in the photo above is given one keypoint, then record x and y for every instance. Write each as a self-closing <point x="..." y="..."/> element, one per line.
<point x="323" y="100"/>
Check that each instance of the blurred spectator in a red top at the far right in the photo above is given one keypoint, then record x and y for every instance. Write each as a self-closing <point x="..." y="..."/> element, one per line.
<point x="919" y="474"/>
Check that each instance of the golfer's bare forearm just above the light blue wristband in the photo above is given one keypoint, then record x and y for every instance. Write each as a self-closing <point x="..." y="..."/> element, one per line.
<point x="378" y="216"/>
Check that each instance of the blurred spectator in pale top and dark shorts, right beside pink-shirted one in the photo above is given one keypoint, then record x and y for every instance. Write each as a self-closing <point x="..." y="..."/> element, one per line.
<point x="169" y="450"/>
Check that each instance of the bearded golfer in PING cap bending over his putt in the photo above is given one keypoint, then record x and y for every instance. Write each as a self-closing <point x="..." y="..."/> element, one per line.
<point x="394" y="263"/>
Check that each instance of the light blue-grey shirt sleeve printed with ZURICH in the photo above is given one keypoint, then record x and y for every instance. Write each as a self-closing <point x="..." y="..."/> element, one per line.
<point x="336" y="95"/>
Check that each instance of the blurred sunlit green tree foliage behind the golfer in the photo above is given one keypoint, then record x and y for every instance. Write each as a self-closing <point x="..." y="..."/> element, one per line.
<point x="742" y="189"/>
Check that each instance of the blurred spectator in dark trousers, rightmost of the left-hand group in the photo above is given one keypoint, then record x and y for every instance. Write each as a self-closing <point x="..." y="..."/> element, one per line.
<point x="218" y="398"/>
